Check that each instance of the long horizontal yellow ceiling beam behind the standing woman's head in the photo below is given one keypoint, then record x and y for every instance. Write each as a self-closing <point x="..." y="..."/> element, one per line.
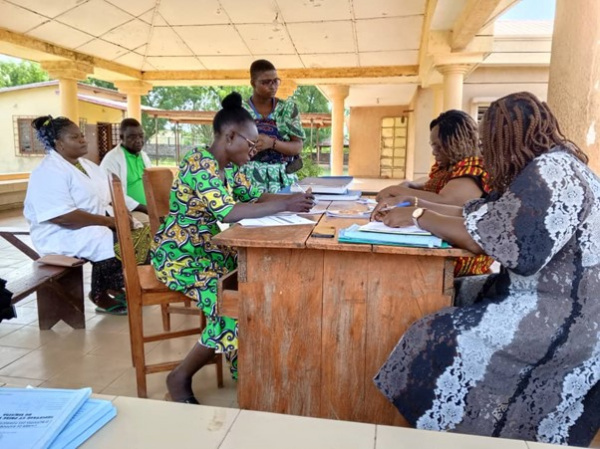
<point x="341" y="73"/>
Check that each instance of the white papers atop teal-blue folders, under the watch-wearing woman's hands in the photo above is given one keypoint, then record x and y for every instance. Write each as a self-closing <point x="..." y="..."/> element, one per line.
<point x="376" y="233"/>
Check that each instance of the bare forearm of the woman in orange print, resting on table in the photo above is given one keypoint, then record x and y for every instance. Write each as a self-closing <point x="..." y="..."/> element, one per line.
<point x="457" y="192"/>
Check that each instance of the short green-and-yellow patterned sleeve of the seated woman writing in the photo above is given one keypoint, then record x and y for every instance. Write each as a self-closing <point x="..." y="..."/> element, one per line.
<point x="210" y="189"/>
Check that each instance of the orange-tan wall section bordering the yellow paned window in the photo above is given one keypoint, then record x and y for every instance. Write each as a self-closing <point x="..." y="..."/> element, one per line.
<point x="365" y="135"/>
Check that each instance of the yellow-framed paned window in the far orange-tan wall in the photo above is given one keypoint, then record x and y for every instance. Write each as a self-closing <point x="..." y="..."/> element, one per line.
<point x="394" y="131"/>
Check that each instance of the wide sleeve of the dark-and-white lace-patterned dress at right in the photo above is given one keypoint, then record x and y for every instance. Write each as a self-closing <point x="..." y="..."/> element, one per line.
<point x="537" y="215"/>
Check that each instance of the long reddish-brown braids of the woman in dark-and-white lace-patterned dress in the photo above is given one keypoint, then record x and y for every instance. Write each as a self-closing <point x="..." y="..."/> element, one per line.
<point x="516" y="129"/>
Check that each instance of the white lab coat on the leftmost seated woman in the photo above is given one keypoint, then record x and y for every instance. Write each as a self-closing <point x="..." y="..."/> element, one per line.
<point x="56" y="187"/>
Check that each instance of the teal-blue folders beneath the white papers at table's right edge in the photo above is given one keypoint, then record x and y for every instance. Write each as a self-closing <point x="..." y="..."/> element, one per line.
<point x="353" y="234"/>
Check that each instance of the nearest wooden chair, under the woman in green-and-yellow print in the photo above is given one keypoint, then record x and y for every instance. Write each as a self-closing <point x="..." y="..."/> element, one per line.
<point x="143" y="289"/>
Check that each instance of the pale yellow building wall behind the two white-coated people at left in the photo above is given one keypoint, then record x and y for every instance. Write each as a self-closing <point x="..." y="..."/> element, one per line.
<point x="33" y="103"/>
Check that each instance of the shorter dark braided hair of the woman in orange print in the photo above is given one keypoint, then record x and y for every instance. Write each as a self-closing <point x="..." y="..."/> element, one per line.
<point x="458" y="134"/>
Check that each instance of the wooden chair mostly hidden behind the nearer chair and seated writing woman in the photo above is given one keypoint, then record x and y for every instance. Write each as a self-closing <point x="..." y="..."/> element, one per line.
<point x="157" y="186"/>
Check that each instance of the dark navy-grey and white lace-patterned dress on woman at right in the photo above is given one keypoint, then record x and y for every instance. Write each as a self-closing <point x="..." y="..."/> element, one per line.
<point x="523" y="360"/>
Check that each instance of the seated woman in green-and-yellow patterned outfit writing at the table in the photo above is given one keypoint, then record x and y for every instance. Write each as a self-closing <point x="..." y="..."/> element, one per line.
<point x="209" y="189"/>
